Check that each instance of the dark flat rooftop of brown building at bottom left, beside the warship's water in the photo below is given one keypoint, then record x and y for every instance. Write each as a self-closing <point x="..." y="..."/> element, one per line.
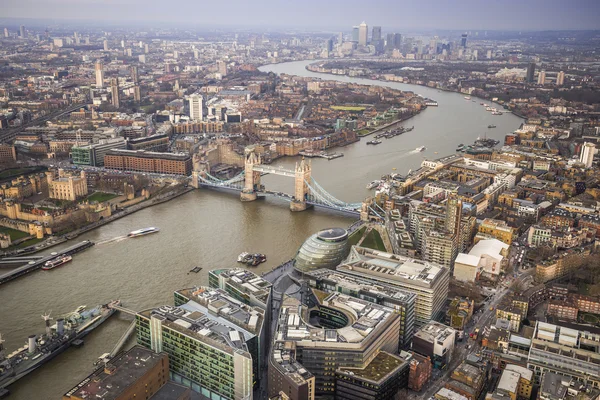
<point x="125" y="369"/>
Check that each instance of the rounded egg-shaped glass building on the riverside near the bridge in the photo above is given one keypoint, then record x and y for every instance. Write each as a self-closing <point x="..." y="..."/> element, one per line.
<point x="324" y="249"/>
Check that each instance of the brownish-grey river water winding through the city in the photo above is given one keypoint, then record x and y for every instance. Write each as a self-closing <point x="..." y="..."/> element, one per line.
<point x="209" y="229"/>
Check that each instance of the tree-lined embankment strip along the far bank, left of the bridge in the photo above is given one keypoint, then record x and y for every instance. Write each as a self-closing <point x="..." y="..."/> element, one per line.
<point x="54" y="241"/>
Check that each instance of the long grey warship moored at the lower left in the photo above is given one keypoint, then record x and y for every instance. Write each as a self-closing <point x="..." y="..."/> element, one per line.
<point x="57" y="338"/>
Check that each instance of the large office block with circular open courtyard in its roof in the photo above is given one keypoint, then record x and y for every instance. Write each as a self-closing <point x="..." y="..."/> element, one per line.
<point x="344" y="332"/>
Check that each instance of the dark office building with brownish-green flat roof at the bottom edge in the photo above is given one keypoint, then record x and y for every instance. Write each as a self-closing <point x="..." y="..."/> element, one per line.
<point x="385" y="375"/>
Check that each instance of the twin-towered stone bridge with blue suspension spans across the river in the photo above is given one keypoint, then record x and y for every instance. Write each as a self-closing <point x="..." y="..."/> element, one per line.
<point x="307" y="191"/>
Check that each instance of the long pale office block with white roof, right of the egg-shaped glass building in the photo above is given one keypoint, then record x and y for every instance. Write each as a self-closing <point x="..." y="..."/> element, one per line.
<point x="428" y="281"/>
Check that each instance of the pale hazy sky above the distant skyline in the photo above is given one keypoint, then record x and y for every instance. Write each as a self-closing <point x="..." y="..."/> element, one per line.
<point x="333" y="14"/>
